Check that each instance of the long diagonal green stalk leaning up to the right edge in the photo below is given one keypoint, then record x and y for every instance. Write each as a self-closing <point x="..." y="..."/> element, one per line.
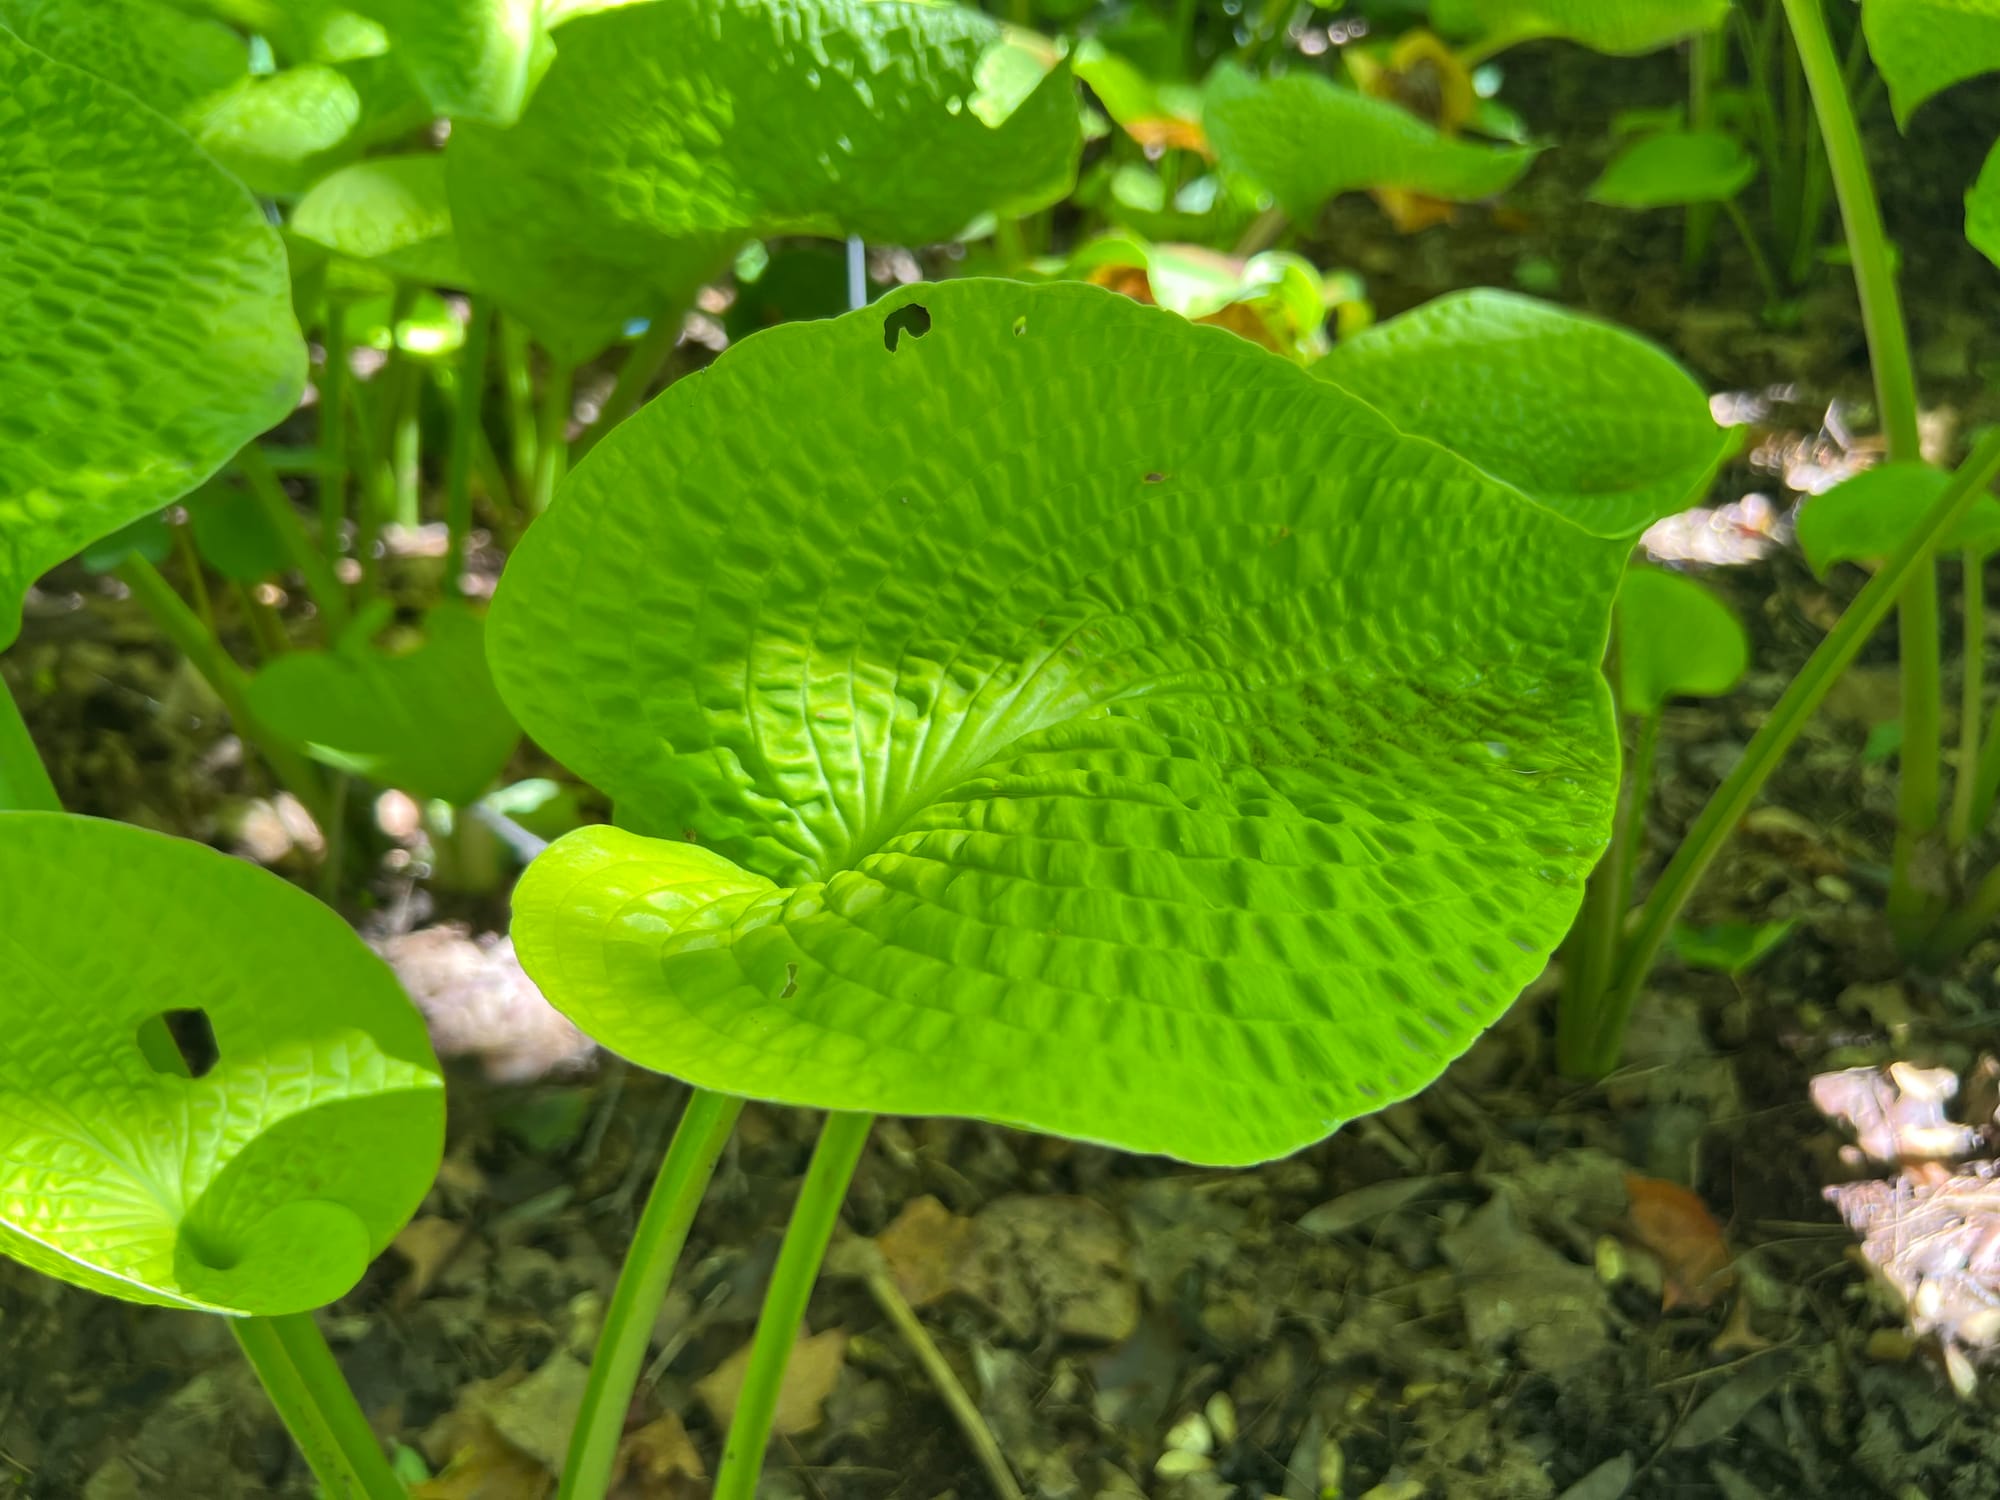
<point x="1769" y="745"/>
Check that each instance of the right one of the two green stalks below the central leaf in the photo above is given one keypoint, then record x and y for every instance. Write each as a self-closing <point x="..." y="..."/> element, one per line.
<point x="785" y="1303"/>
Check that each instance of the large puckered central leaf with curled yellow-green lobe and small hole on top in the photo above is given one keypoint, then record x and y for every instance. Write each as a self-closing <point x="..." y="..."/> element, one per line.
<point x="1081" y="719"/>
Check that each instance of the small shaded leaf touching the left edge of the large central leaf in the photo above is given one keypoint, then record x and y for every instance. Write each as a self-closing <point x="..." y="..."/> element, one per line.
<point x="425" y="719"/>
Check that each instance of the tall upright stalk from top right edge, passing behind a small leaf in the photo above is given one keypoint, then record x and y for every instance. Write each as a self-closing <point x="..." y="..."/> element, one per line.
<point x="1889" y="351"/>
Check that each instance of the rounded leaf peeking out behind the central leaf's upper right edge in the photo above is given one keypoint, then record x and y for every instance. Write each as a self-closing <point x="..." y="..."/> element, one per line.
<point x="1575" y="413"/>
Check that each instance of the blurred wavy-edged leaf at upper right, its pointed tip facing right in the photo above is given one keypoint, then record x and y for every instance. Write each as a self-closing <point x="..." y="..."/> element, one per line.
<point x="1309" y="141"/>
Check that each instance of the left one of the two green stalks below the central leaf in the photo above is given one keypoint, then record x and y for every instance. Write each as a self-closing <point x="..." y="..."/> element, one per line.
<point x="663" y="1231"/>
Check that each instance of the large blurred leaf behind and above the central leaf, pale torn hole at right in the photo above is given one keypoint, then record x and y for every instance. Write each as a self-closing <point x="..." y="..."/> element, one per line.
<point x="667" y="135"/>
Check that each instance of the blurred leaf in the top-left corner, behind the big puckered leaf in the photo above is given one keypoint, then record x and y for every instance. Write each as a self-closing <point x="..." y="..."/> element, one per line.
<point x="153" y="51"/>
